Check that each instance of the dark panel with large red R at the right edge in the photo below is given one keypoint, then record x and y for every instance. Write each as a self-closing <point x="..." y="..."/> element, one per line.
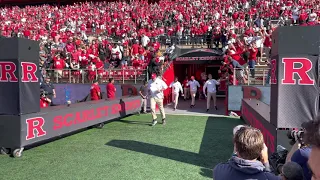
<point x="294" y="90"/>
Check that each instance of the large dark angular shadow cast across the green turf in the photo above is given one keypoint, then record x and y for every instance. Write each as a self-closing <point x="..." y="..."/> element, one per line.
<point x="216" y="146"/>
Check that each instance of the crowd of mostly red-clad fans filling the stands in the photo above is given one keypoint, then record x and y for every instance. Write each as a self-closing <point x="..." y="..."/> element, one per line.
<point x="94" y="36"/>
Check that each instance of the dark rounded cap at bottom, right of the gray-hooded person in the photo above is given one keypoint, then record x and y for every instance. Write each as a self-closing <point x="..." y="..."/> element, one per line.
<point x="292" y="171"/>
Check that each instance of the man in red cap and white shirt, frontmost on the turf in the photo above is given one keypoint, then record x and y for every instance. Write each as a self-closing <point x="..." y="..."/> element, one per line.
<point x="156" y="86"/>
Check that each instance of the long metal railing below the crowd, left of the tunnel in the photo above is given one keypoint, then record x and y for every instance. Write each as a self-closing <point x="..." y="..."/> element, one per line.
<point x="132" y="75"/>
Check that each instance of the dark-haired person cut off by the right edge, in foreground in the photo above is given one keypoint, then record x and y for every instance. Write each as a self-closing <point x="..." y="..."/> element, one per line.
<point x="312" y="137"/>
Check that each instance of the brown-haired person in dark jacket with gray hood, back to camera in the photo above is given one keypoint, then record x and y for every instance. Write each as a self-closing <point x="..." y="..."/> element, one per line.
<point x="249" y="147"/>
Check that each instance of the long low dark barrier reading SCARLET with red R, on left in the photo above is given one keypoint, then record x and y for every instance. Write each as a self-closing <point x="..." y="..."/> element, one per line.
<point x="56" y="121"/>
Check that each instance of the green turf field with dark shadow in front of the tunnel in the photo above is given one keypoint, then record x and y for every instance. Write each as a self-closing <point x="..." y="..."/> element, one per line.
<point x="188" y="147"/>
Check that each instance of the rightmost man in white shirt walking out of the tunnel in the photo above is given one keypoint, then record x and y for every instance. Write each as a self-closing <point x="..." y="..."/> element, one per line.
<point x="211" y="87"/>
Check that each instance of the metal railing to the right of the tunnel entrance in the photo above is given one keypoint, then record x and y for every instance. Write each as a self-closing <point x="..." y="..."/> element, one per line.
<point x="250" y="76"/>
